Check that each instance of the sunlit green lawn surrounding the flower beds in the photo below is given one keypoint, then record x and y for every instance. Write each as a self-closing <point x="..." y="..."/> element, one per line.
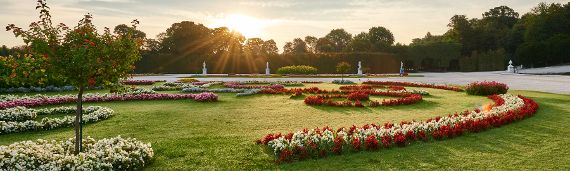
<point x="188" y="135"/>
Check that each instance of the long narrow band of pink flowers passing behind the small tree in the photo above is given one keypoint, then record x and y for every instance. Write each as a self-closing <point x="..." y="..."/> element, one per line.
<point x="44" y="100"/>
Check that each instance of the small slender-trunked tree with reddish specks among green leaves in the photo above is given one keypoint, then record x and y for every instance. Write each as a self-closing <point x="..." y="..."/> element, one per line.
<point x="82" y="55"/>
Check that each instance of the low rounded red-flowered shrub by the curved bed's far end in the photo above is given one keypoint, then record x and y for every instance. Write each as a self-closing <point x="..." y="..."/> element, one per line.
<point x="486" y="88"/>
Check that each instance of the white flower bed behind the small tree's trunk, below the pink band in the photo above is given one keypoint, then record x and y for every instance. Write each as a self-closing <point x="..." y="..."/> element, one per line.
<point x="20" y="119"/>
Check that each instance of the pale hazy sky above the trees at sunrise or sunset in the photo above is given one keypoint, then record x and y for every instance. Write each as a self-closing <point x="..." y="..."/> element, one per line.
<point x="279" y="20"/>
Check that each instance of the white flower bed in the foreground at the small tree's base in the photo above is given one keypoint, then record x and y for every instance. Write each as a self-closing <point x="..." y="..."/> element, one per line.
<point x="105" y="154"/>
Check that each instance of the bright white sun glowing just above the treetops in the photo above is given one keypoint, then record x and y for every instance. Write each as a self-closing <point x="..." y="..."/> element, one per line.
<point x="246" y="25"/>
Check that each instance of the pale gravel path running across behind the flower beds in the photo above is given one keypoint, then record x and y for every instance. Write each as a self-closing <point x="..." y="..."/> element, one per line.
<point x="545" y="83"/>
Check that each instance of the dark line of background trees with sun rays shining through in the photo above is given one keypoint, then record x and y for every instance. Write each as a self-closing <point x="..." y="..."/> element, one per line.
<point x="538" y="38"/>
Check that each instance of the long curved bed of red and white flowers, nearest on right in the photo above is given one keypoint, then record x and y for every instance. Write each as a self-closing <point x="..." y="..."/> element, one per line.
<point x="313" y="143"/>
